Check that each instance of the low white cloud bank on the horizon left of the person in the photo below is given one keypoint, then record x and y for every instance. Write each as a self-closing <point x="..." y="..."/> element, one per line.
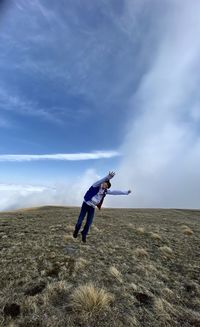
<point x="15" y="196"/>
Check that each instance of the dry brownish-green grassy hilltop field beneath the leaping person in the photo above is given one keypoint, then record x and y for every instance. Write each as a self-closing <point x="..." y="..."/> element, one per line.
<point x="138" y="268"/>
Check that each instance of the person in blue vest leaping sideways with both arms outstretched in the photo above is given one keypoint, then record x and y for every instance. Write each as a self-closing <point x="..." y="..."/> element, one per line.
<point x="94" y="197"/>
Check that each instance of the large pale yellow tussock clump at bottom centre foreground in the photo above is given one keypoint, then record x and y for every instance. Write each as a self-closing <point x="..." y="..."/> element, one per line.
<point x="89" y="298"/>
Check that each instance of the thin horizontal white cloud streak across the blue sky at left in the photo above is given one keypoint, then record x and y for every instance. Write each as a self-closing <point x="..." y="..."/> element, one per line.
<point x="60" y="156"/>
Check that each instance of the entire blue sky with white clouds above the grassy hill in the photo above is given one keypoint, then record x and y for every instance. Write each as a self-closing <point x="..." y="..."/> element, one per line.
<point x="115" y="80"/>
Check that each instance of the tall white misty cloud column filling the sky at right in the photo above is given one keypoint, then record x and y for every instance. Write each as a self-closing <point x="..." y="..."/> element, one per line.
<point x="162" y="146"/>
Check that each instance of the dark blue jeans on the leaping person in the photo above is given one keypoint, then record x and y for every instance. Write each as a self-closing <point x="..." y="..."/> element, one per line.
<point x="85" y="209"/>
